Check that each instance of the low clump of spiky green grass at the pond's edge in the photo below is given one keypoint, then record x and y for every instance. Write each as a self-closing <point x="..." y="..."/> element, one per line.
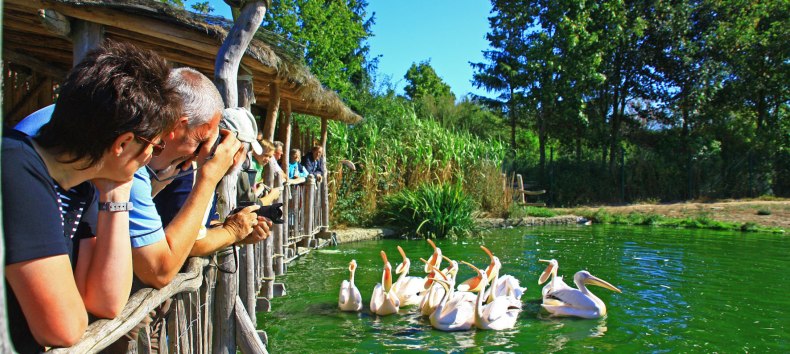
<point x="434" y="211"/>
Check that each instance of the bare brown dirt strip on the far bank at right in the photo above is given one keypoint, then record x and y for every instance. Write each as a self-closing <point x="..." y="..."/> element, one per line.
<point x="734" y="211"/>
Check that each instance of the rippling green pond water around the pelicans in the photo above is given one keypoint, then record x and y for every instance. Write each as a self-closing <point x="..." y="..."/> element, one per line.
<point x="683" y="291"/>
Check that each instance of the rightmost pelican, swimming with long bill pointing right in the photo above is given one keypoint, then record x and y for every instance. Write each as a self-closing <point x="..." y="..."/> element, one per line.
<point x="579" y="302"/>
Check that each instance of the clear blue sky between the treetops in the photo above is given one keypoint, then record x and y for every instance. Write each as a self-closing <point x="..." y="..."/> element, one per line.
<point x="449" y="33"/>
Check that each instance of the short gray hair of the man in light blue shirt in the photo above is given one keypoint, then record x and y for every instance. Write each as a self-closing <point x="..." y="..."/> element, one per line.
<point x="201" y="99"/>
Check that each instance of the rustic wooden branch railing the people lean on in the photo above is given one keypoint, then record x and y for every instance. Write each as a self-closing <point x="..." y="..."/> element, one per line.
<point x="216" y="297"/>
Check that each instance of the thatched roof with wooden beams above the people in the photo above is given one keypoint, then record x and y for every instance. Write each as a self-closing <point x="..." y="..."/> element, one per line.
<point x="178" y="35"/>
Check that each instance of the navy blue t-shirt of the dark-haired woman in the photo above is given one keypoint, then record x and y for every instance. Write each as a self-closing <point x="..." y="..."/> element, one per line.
<point x="37" y="222"/>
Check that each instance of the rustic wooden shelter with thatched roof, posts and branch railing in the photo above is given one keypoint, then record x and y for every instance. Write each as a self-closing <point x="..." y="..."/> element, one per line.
<point x="43" y="39"/>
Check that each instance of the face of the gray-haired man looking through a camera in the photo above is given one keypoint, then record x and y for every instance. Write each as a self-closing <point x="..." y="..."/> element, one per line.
<point x="184" y="143"/>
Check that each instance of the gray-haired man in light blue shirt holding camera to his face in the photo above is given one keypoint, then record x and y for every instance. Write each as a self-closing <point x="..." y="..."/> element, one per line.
<point x="159" y="252"/>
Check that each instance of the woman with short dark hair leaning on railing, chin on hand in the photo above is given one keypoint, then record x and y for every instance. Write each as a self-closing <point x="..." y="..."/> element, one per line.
<point x="66" y="193"/>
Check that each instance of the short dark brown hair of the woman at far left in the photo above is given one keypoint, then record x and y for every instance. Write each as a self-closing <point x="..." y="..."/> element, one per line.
<point x="117" y="88"/>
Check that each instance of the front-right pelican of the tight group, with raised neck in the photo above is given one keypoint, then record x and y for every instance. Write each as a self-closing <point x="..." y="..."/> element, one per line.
<point x="501" y="313"/>
